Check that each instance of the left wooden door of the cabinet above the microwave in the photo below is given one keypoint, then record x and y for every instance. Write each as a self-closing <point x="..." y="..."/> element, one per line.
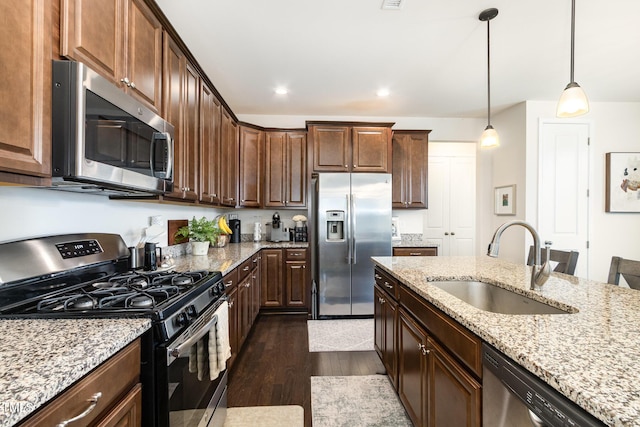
<point x="93" y="32"/>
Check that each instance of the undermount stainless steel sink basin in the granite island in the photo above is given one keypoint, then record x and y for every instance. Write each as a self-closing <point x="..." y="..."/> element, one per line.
<point x="492" y="298"/>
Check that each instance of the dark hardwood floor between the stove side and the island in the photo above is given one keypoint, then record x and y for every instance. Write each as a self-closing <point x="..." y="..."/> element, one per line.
<point x="275" y="365"/>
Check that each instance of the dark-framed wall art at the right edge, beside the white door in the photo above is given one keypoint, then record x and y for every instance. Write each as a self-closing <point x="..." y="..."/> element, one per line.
<point x="622" y="186"/>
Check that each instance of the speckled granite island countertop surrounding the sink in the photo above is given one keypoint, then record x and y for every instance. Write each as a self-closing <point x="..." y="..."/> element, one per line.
<point x="591" y="356"/>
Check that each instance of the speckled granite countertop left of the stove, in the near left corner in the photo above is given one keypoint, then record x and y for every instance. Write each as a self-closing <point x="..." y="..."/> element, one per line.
<point x="40" y="358"/>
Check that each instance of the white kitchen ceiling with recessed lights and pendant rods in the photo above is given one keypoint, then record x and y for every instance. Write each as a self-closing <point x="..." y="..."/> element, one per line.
<point x="333" y="55"/>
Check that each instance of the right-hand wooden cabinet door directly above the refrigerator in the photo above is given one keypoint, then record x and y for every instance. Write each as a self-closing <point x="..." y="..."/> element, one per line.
<point x="371" y="149"/>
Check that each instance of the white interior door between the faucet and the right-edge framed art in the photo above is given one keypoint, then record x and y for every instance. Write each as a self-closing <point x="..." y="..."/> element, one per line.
<point x="563" y="201"/>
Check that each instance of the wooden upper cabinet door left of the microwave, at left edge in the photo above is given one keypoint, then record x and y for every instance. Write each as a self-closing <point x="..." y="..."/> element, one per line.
<point x="25" y="108"/>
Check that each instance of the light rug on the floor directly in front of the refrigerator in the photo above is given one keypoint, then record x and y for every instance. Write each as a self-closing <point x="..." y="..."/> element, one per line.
<point x="340" y="335"/>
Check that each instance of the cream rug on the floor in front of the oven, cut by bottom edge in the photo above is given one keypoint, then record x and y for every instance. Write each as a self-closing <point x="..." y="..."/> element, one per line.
<point x="265" y="416"/>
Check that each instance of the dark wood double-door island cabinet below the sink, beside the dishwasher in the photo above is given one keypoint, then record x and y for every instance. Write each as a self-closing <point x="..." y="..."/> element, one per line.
<point x="439" y="364"/>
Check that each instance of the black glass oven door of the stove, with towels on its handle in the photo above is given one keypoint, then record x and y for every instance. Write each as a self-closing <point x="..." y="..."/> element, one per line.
<point x="190" y="396"/>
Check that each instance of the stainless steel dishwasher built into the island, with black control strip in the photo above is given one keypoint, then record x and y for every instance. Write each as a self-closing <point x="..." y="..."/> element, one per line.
<point x="513" y="397"/>
